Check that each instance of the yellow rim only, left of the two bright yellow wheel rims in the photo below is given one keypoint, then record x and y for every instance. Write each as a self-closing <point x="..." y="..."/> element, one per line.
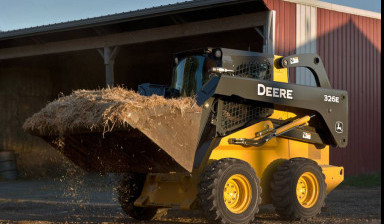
<point x="237" y="193"/>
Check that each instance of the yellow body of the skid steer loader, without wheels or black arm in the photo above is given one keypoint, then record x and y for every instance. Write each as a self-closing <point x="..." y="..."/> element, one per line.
<point x="180" y="190"/>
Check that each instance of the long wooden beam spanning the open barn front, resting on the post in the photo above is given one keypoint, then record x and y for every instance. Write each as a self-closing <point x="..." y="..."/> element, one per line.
<point x="140" y="36"/>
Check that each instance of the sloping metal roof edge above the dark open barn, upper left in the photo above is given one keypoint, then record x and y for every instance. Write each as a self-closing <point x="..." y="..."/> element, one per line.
<point x="119" y="17"/>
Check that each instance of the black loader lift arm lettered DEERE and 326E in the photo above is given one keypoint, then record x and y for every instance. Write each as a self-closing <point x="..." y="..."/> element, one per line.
<point x="330" y="106"/>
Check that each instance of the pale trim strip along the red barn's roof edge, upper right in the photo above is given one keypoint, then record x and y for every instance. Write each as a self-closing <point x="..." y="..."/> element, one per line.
<point x="338" y="8"/>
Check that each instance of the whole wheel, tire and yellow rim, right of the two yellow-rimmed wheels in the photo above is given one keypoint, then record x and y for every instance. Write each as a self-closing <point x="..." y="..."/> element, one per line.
<point x="298" y="189"/>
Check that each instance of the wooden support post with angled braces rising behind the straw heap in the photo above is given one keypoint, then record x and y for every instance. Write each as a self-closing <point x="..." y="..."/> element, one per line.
<point x="109" y="55"/>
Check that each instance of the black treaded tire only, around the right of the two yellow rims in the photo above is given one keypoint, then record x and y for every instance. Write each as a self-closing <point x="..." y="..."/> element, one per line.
<point x="283" y="186"/>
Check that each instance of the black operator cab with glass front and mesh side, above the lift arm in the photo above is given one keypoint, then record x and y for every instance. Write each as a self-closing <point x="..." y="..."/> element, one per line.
<point x="192" y="69"/>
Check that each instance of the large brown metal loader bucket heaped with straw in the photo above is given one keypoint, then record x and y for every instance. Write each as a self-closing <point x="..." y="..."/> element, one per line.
<point x="146" y="139"/>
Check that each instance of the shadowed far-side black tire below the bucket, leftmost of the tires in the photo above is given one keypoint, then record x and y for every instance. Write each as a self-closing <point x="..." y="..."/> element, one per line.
<point x="129" y="190"/>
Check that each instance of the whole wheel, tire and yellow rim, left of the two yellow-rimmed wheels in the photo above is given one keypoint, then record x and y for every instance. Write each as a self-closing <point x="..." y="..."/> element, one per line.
<point x="229" y="192"/>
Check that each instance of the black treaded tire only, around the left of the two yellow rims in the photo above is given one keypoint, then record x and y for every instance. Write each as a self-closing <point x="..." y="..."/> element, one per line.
<point x="211" y="191"/>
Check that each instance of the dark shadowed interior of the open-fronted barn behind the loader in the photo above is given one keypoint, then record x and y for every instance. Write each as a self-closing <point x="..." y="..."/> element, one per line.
<point x="38" y="64"/>
